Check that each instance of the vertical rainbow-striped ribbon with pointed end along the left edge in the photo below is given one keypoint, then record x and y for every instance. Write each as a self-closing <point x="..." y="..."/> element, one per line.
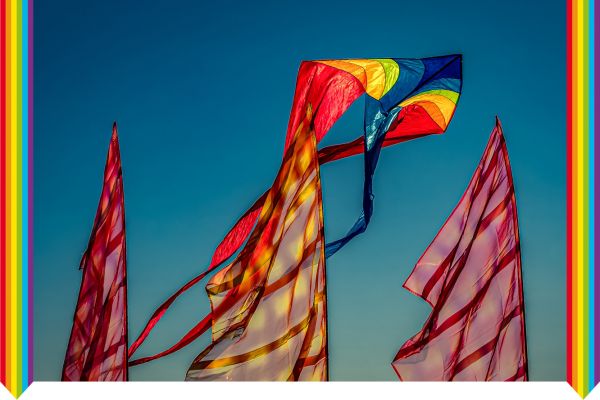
<point x="16" y="177"/>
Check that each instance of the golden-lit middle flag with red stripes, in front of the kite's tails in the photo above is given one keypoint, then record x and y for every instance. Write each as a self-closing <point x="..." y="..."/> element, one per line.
<point x="269" y="305"/>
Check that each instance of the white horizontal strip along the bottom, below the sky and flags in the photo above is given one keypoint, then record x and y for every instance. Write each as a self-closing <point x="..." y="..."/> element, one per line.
<point x="300" y="391"/>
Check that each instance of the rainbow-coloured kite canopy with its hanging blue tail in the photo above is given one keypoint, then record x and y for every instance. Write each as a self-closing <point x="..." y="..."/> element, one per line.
<point x="405" y="99"/>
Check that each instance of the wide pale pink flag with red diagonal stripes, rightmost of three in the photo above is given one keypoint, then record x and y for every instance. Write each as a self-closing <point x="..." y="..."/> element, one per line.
<point x="471" y="275"/>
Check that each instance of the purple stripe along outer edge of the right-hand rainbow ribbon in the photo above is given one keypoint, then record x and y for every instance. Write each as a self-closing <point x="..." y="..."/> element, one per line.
<point x="596" y="93"/>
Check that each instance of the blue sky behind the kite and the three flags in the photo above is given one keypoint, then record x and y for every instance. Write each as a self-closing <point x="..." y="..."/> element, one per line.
<point x="202" y="91"/>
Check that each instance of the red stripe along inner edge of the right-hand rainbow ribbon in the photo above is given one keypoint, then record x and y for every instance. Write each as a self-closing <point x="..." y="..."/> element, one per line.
<point x="569" y="194"/>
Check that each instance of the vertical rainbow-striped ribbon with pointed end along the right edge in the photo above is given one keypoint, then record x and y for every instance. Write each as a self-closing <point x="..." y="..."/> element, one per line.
<point x="583" y="324"/>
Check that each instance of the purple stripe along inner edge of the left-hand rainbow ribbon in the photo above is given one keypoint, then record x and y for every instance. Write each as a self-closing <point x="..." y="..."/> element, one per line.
<point x="30" y="189"/>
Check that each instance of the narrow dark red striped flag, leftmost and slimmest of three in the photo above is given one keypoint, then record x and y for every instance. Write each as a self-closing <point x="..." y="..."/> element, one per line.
<point x="97" y="348"/>
